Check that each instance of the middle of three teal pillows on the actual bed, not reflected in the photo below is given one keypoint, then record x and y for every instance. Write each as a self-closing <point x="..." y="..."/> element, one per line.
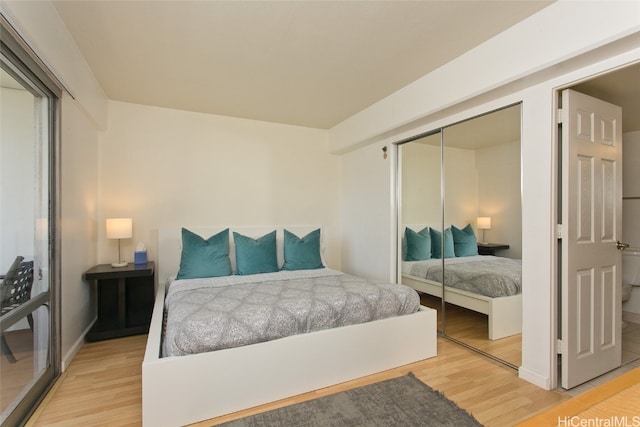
<point x="255" y="256"/>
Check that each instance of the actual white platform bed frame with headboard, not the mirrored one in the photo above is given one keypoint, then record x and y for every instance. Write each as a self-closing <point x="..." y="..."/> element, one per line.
<point x="187" y="389"/>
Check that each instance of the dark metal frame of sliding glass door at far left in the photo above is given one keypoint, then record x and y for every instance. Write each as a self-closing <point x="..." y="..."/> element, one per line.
<point x="22" y="64"/>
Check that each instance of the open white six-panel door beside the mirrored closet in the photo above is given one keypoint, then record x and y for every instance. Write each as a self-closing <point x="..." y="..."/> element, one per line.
<point x="591" y="307"/>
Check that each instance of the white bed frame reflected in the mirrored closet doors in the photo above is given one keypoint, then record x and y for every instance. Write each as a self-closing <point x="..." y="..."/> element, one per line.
<point x="505" y="313"/>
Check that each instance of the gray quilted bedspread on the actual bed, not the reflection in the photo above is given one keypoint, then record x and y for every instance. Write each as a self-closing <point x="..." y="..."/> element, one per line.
<point x="218" y="313"/>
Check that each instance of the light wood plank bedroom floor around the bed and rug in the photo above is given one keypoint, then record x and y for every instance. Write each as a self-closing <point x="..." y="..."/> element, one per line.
<point x="102" y="386"/>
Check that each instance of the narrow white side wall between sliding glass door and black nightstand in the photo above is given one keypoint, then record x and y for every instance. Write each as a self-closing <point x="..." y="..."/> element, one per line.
<point x="78" y="213"/>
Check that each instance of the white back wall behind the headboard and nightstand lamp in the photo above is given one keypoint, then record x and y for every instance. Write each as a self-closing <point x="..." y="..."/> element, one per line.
<point x="170" y="168"/>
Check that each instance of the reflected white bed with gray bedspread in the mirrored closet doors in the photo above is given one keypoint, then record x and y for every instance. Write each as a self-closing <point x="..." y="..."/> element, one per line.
<point x="502" y="303"/>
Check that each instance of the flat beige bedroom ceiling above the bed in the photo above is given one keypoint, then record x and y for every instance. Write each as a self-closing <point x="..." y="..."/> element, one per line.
<point x="306" y="63"/>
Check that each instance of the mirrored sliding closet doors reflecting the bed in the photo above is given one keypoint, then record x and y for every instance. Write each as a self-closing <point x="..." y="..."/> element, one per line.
<point x="448" y="179"/>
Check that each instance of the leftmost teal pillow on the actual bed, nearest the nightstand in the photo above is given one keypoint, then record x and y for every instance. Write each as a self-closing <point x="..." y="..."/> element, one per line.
<point x="204" y="258"/>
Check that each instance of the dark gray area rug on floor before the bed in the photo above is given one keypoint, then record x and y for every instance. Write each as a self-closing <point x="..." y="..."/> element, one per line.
<point x="403" y="401"/>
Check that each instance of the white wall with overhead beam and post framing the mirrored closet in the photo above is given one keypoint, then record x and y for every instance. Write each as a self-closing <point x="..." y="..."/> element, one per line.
<point x="526" y="63"/>
